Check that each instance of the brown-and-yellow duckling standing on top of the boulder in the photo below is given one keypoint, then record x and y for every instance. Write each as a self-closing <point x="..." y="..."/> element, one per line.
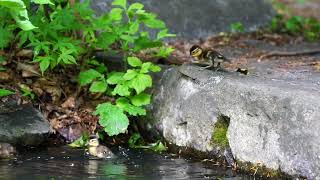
<point x="208" y="56"/>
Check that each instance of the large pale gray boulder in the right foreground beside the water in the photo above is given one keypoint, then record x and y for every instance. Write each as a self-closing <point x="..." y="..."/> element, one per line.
<point x="273" y="121"/>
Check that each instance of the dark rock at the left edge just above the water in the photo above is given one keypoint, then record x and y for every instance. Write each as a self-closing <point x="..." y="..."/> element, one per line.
<point x="22" y="125"/>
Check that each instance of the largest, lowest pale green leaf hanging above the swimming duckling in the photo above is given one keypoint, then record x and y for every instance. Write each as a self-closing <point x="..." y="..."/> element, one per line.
<point x="112" y="118"/>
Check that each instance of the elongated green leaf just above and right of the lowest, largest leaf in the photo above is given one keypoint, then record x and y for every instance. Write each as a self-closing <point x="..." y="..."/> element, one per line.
<point x="124" y="104"/>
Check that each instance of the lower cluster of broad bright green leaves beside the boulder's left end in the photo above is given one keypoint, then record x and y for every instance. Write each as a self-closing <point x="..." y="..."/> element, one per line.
<point x="127" y="87"/>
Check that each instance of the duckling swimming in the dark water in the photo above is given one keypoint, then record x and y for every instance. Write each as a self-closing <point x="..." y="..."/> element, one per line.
<point x="100" y="151"/>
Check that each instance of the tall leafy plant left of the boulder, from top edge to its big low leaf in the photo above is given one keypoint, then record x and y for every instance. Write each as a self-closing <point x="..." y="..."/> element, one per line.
<point x="127" y="87"/>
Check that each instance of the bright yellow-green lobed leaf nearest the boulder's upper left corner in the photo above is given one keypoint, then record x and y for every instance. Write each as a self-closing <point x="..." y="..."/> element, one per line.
<point x="141" y="82"/>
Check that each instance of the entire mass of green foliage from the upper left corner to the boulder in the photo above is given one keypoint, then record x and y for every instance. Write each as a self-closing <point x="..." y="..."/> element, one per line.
<point x="64" y="35"/>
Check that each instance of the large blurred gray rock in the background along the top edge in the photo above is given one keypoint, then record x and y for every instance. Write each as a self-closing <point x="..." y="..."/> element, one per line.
<point x="194" y="19"/>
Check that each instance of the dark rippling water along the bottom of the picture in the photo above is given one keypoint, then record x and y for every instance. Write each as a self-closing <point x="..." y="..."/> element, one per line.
<point x="67" y="163"/>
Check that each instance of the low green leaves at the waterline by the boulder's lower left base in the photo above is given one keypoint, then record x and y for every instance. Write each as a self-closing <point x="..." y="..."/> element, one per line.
<point x="136" y="141"/>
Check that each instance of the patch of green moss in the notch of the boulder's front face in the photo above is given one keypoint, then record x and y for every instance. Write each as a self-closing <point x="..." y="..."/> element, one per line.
<point x="219" y="135"/>
